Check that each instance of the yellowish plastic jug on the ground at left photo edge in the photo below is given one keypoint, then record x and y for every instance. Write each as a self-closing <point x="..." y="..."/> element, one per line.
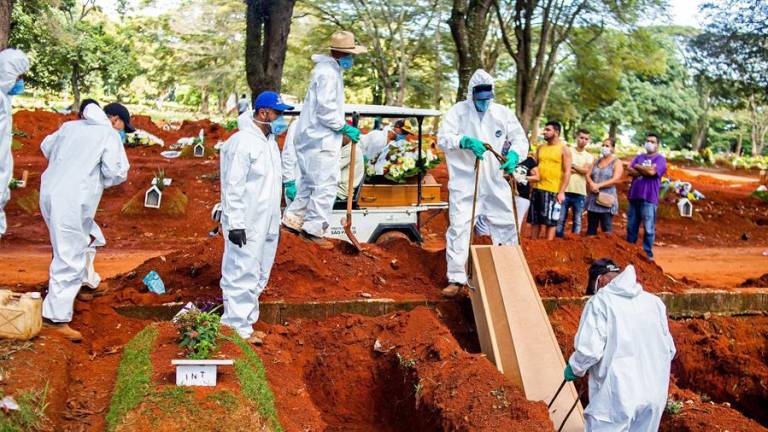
<point x="20" y="315"/>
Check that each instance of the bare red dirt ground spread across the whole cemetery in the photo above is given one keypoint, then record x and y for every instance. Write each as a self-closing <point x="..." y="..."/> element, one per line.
<point x="326" y="374"/>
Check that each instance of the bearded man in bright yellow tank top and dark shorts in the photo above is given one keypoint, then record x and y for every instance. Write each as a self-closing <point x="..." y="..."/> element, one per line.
<point x="548" y="194"/>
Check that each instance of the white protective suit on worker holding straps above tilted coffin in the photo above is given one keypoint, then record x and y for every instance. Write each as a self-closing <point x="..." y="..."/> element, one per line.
<point x="494" y="197"/>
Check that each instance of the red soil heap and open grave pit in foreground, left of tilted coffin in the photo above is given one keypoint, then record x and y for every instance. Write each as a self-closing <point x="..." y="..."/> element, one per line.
<point x="327" y="376"/>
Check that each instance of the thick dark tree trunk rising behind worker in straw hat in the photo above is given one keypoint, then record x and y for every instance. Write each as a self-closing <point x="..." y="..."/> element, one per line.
<point x="268" y="23"/>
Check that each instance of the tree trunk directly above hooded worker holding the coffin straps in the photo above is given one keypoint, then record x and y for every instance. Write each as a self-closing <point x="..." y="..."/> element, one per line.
<point x="469" y="28"/>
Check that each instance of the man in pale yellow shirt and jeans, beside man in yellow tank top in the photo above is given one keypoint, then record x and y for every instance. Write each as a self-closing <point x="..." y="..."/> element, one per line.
<point x="576" y="192"/>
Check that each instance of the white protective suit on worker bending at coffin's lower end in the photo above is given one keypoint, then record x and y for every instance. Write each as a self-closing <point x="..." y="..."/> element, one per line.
<point x="624" y="343"/>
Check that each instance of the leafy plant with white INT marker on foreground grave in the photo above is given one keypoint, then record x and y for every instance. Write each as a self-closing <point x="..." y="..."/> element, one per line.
<point x="198" y="335"/>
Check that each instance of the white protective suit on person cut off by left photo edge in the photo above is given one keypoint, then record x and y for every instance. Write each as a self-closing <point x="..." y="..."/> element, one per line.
<point x="13" y="63"/>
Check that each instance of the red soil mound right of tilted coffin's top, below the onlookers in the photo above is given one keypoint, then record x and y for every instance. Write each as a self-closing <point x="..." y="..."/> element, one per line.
<point x="560" y="266"/>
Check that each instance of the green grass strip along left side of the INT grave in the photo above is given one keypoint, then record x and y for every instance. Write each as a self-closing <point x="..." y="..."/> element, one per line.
<point x="134" y="376"/>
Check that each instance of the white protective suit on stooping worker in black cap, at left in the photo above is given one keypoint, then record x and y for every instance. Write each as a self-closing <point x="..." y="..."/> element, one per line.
<point x="84" y="157"/>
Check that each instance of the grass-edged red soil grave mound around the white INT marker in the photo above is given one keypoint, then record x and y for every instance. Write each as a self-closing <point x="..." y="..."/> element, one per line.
<point x="146" y="397"/>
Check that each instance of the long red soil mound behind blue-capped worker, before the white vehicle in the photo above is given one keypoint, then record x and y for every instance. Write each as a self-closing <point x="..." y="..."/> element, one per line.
<point x="302" y="272"/>
